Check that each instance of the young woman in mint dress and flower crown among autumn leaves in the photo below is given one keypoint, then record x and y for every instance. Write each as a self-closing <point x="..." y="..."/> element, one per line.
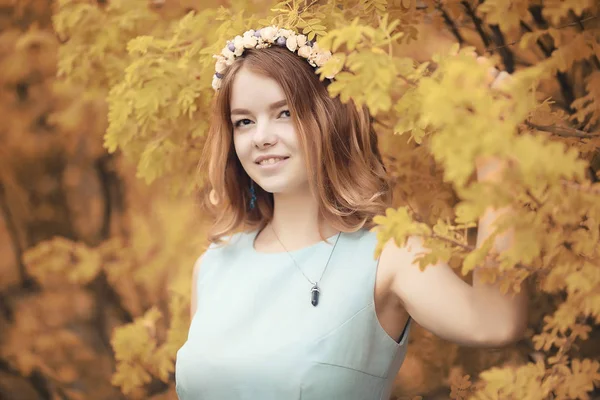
<point x="278" y="312"/>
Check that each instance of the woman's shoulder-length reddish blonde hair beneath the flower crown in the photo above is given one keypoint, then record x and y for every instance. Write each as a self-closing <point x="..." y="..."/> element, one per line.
<point x="338" y="141"/>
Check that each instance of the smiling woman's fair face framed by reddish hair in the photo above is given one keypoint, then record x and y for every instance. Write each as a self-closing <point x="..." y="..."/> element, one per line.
<point x="262" y="126"/>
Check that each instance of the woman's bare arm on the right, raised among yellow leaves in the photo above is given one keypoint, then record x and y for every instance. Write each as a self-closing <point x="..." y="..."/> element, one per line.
<point x="478" y="315"/>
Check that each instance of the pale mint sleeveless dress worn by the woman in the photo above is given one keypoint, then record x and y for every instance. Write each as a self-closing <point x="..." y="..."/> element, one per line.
<point x="256" y="336"/>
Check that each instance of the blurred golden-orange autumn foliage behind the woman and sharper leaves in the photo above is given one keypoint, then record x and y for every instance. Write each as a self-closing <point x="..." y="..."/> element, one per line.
<point x="97" y="247"/>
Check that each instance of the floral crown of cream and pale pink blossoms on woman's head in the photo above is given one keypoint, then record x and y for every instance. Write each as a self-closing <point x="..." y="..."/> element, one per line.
<point x="267" y="37"/>
